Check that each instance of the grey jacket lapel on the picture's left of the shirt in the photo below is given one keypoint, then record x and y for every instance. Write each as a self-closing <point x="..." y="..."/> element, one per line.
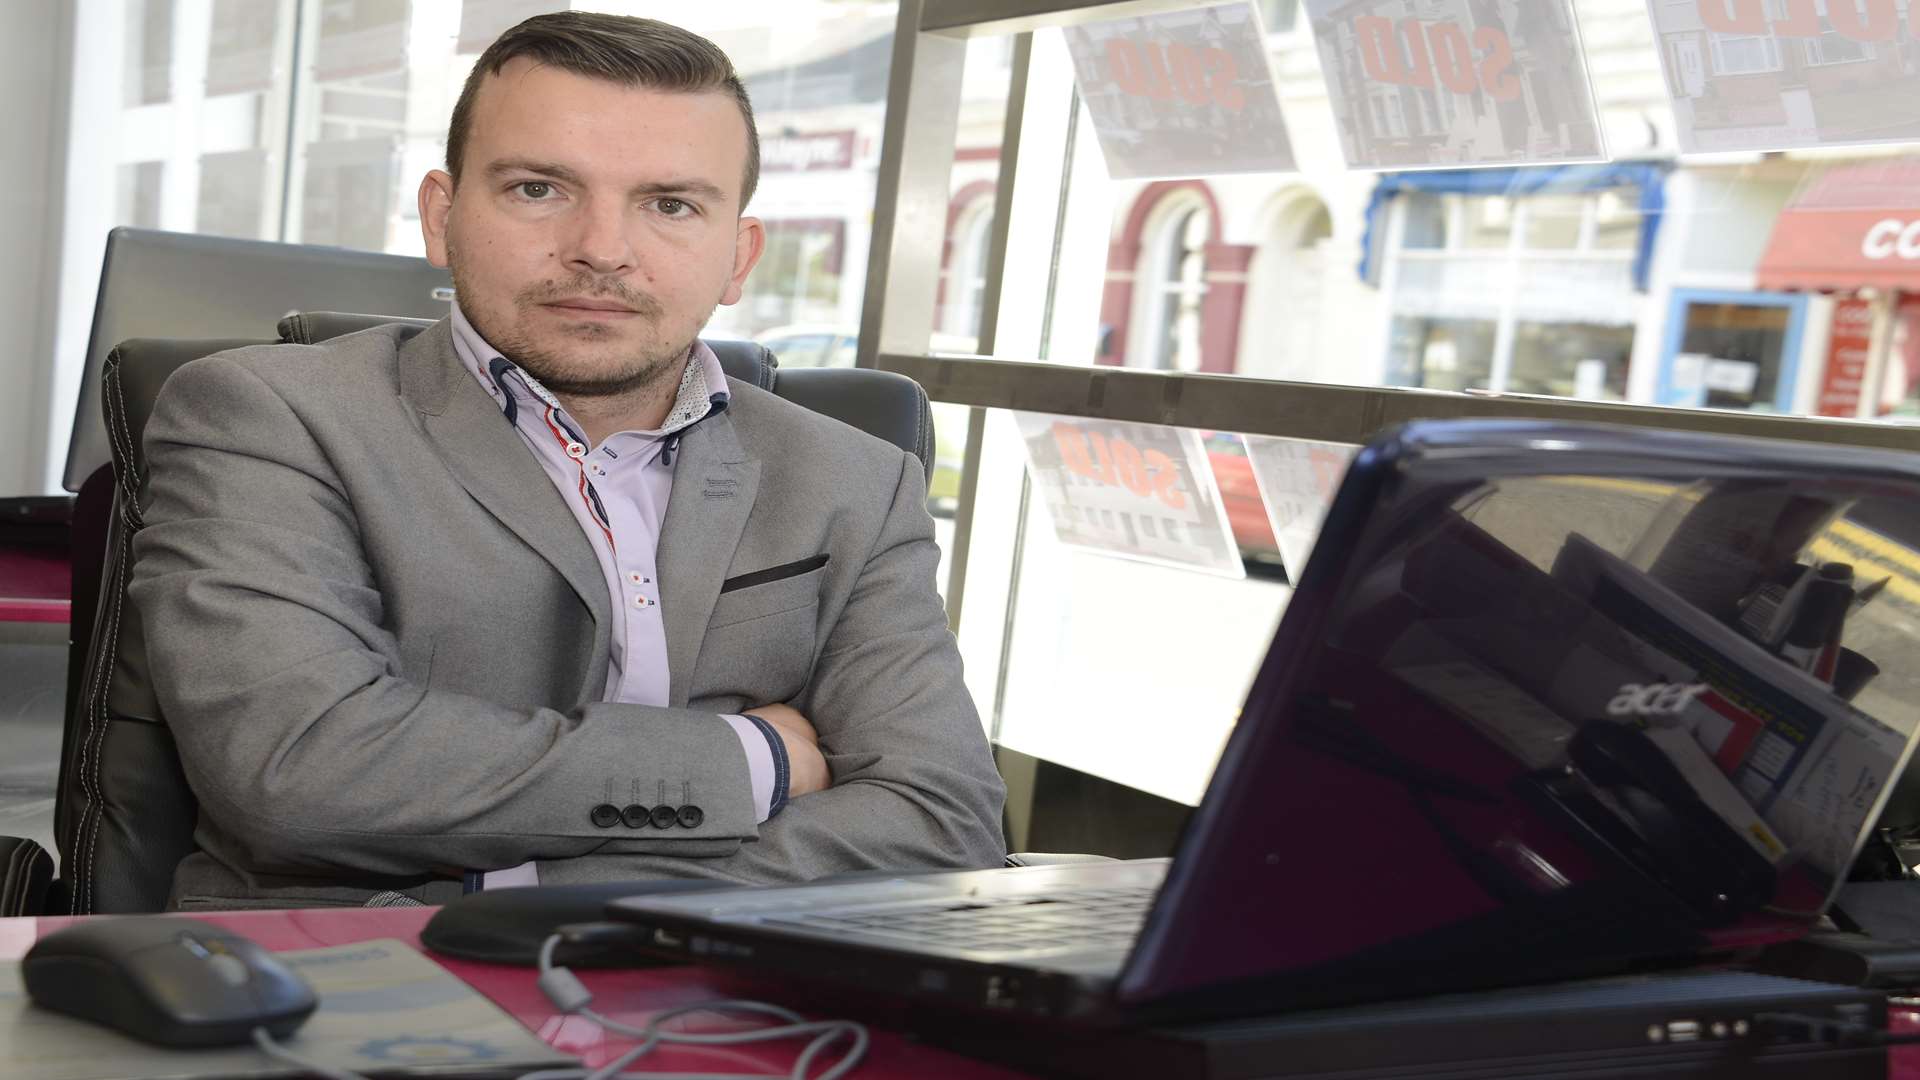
<point x="492" y="462"/>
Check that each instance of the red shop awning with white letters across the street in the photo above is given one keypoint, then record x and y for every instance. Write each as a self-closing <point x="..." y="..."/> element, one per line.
<point x="1854" y="226"/>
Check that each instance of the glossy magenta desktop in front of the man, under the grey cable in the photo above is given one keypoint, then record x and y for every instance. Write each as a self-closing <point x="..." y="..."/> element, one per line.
<point x="627" y="996"/>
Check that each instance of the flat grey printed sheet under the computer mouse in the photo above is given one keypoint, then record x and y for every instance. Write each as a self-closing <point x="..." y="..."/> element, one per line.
<point x="385" y="1010"/>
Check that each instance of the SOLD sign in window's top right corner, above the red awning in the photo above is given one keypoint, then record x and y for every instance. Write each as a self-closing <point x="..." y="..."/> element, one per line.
<point x="1779" y="74"/>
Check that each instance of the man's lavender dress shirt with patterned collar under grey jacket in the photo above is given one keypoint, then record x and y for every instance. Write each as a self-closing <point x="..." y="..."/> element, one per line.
<point x="617" y="493"/>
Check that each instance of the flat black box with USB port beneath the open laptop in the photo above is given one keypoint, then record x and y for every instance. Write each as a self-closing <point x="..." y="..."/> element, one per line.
<point x="1671" y="1027"/>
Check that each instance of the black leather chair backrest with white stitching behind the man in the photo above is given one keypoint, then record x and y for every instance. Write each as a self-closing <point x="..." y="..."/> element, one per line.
<point x="124" y="816"/>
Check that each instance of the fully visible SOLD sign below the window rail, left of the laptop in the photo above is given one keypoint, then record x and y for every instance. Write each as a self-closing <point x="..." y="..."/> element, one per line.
<point x="1134" y="491"/>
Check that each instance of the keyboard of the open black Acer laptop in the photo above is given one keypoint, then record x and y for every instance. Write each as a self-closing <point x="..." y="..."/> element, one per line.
<point x="1084" y="920"/>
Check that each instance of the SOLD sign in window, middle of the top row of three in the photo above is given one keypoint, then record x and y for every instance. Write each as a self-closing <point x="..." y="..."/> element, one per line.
<point x="1462" y="84"/>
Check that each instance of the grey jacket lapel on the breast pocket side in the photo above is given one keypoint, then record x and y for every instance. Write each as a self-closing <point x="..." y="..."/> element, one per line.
<point x="715" y="485"/>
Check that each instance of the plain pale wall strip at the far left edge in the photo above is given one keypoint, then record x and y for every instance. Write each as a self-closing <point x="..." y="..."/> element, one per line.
<point x="34" y="57"/>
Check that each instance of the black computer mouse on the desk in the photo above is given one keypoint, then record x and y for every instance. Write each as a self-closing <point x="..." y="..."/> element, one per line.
<point x="168" y="981"/>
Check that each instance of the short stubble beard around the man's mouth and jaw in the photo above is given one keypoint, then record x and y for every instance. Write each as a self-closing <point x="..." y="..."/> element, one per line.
<point x="638" y="372"/>
